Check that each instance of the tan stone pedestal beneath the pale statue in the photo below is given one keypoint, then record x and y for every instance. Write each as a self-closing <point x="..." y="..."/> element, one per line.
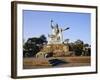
<point x="57" y="50"/>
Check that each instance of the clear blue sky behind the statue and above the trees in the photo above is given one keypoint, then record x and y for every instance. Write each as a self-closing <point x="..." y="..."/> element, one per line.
<point x="36" y="23"/>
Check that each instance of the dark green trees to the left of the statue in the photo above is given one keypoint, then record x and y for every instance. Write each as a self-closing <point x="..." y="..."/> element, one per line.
<point x="33" y="45"/>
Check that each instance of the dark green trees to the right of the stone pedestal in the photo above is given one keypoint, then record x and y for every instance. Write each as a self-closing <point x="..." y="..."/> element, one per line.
<point x="79" y="48"/>
